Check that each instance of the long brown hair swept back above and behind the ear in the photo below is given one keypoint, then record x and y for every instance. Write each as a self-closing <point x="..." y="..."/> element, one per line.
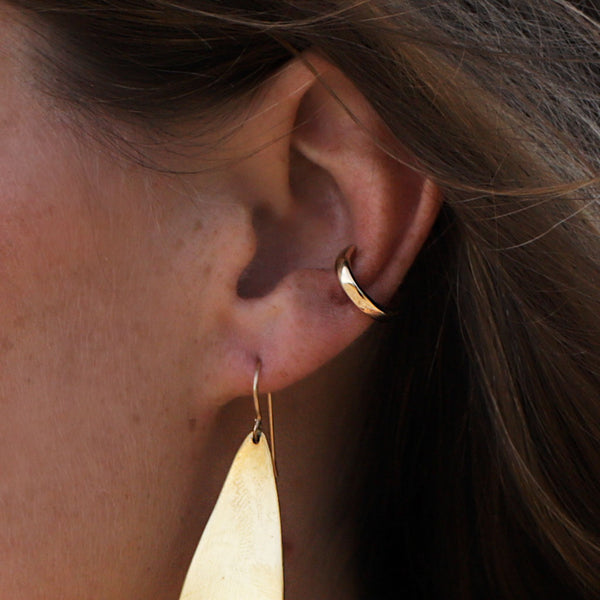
<point x="485" y="436"/>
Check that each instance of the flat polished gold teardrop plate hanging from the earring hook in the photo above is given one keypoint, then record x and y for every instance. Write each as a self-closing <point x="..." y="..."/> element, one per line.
<point x="240" y="554"/>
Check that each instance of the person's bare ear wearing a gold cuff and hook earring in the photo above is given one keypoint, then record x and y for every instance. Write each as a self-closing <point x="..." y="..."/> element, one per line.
<point x="326" y="173"/>
